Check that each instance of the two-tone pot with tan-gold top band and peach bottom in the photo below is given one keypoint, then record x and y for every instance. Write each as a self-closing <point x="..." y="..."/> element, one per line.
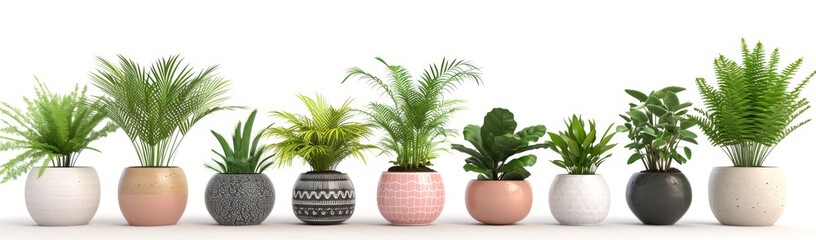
<point x="152" y="196"/>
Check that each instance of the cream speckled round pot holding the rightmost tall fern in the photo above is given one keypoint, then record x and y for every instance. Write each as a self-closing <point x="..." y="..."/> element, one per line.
<point x="747" y="196"/>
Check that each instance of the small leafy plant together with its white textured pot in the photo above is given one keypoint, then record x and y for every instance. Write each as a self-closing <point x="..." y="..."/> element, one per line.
<point x="580" y="197"/>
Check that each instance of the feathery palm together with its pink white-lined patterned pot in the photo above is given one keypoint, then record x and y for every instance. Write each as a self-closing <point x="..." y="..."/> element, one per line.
<point x="415" y="120"/>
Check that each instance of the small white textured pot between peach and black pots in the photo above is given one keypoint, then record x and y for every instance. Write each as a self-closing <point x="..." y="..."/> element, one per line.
<point x="579" y="199"/>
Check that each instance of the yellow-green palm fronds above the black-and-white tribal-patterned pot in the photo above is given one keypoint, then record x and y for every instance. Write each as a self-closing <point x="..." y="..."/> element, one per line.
<point x="323" y="139"/>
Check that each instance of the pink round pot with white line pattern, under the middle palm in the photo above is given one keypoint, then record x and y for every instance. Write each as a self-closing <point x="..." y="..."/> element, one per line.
<point x="410" y="198"/>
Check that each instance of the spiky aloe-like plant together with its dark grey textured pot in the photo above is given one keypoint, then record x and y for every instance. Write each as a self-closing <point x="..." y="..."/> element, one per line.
<point x="240" y="194"/>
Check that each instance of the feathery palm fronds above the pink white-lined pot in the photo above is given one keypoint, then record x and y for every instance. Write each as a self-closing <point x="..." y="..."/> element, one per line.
<point x="416" y="119"/>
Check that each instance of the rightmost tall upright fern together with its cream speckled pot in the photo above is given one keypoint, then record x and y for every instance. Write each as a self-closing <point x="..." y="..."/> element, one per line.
<point x="747" y="115"/>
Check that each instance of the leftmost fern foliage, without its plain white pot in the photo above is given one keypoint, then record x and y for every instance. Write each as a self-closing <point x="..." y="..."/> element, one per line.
<point x="54" y="129"/>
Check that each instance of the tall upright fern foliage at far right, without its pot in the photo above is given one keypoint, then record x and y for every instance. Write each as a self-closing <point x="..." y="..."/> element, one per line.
<point x="752" y="109"/>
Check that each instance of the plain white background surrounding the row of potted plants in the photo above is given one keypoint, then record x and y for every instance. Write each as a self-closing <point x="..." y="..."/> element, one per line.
<point x="542" y="60"/>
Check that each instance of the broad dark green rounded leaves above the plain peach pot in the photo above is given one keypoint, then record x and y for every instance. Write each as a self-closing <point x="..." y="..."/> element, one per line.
<point x="495" y="142"/>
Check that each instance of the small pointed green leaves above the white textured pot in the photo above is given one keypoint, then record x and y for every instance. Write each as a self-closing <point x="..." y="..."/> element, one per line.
<point x="580" y="154"/>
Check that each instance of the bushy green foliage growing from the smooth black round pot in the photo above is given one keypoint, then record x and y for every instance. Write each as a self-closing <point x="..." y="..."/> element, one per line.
<point x="657" y="124"/>
